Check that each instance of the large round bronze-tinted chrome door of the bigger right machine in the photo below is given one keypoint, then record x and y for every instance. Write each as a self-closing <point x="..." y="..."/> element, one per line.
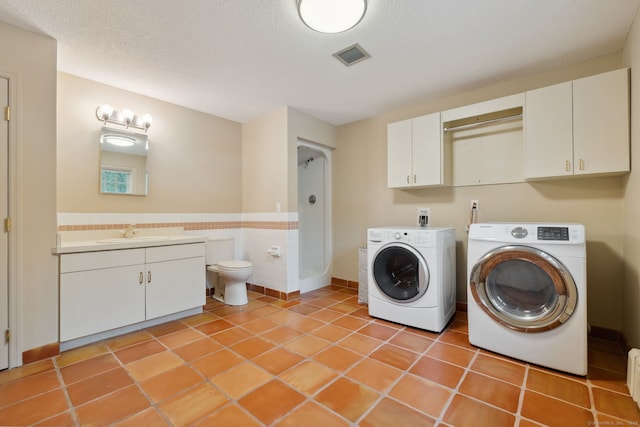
<point x="524" y="288"/>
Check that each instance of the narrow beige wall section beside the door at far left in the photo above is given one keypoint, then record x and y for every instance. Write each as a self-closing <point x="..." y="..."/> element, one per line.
<point x="29" y="60"/>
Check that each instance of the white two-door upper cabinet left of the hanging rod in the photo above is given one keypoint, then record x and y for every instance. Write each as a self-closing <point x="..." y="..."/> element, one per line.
<point x="414" y="152"/>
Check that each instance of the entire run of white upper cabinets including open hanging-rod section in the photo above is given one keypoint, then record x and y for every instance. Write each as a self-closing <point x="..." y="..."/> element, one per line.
<point x="576" y="128"/>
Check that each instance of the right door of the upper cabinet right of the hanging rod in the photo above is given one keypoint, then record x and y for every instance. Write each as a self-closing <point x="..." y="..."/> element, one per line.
<point x="601" y="123"/>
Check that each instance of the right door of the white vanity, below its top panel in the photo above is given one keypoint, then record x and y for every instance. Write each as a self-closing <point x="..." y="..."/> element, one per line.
<point x="174" y="286"/>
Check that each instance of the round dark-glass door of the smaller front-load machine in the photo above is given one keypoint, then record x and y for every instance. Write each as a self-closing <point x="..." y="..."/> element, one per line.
<point x="400" y="272"/>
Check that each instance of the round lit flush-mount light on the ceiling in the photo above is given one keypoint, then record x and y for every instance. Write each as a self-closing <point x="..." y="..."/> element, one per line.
<point x="331" y="16"/>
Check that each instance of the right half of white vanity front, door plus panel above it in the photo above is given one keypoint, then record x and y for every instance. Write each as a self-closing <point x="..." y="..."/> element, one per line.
<point x="175" y="279"/>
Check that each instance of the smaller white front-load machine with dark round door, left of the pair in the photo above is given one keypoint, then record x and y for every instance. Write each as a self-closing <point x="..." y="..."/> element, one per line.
<point x="412" y="275"/>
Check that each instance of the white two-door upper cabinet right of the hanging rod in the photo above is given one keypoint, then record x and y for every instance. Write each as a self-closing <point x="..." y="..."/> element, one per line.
<point x="579" y="127"/>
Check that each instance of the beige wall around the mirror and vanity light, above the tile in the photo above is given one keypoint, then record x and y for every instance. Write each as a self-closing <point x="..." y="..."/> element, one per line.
<point x="194" y="159"/>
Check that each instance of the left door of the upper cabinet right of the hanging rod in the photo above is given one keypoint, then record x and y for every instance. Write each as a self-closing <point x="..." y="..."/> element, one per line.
<point x="549" y="131"/>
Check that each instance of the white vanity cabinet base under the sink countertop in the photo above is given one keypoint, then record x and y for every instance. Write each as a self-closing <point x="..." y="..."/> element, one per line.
<point x="105" y="290"/>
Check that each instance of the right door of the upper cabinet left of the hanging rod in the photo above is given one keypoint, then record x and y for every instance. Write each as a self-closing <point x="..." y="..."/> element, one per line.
<point x="427" y="150"/>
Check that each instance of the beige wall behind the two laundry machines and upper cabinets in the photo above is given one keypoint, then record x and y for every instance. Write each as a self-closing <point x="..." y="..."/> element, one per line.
<point x="362" y="199"/>
